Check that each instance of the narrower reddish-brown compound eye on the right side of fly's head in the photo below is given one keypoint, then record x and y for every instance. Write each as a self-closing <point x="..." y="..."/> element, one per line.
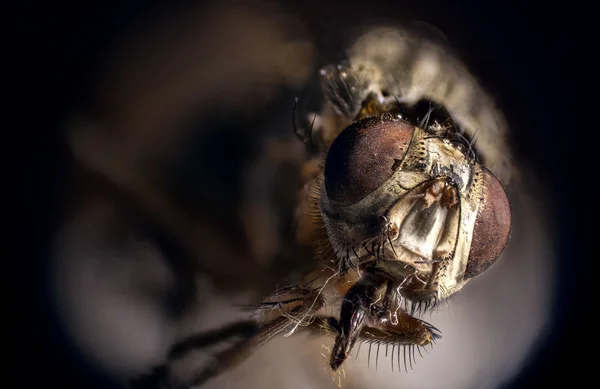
<point x="492" y="226"/>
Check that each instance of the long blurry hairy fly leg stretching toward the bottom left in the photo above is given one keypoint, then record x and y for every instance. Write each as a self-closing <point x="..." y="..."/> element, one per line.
<point x="288" y="310"/>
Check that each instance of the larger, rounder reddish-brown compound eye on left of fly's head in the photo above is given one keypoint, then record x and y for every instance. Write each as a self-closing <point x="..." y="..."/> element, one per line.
<point x="363" y="157"/>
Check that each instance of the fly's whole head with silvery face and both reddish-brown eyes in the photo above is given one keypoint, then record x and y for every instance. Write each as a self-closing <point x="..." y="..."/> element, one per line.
<point x="411" y="200"/>
